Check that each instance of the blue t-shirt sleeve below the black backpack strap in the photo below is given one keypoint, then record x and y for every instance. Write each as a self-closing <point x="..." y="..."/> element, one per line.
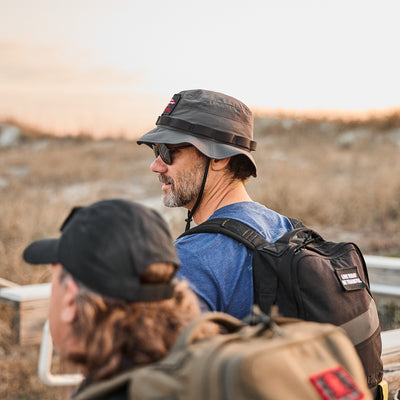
<point x="219" y="272"/>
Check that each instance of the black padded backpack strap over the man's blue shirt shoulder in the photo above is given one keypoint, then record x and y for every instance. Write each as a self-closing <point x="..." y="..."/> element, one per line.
<point x="233" y="228"/>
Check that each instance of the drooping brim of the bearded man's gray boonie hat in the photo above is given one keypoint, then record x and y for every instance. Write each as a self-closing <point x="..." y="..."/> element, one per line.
<point x="207" y="146"/>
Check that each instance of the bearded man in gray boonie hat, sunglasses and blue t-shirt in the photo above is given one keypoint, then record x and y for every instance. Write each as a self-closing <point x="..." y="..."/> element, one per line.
<point x="203" y="143"/>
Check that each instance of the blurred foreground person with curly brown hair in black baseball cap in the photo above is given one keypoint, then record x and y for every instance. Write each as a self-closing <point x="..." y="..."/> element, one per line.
<point x="114" y="301"/>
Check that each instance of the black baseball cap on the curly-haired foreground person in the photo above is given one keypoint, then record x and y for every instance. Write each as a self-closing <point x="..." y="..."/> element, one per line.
<point x="107" y="245"/>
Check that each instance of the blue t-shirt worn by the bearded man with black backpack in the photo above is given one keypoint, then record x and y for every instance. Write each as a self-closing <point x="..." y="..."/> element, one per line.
<point x="218" y="268"/>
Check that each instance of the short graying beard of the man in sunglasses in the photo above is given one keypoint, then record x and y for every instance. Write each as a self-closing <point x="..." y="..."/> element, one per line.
<point x="185" y="188"/>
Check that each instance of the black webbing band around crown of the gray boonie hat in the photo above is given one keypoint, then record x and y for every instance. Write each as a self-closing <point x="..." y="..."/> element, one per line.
<point x="209" y="133"/>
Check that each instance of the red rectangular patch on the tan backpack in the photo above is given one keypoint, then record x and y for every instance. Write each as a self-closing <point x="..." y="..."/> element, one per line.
<point x="336" y="384"/>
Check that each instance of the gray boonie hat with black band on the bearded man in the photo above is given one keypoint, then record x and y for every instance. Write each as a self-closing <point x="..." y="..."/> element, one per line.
<point x="218" y="125"/>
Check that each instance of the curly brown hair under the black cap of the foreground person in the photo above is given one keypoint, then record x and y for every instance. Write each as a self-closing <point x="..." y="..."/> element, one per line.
<point x="118" y="334"/>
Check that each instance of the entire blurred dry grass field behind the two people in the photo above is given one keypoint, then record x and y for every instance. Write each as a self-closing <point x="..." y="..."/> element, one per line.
<point x="340" y="177"/>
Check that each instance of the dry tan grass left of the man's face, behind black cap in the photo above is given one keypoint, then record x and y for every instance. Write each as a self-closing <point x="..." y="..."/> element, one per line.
<point x="46" y="178"/>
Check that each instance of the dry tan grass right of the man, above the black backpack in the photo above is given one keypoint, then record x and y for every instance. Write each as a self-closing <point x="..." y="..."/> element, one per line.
<point x="334" y="176"/>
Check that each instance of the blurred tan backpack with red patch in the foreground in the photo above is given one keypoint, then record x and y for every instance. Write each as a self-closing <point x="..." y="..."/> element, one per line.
<point x="284" y="359"/>
